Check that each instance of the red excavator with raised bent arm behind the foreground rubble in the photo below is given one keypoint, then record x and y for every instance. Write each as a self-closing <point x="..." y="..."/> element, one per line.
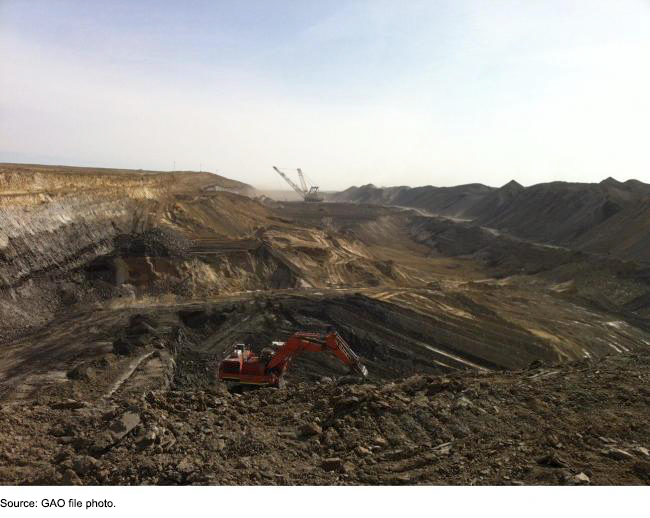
<point x="243" y="367"/>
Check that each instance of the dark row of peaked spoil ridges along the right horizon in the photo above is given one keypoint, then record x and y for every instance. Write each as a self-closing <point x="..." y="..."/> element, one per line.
<point x="609" y="217"/>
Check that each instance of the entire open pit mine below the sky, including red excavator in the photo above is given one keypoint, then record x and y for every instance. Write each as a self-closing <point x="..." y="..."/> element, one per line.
<point x="390" y="342"/>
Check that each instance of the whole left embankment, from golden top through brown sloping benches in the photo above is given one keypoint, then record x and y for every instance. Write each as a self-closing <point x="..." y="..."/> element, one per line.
<point x="72" y="236"/>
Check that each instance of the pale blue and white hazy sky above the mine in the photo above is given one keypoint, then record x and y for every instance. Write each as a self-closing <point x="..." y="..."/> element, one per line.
<point x="413" y="92"/>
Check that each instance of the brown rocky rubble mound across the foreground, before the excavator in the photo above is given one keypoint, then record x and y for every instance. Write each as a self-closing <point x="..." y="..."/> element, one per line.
<point x="579" y="423"/>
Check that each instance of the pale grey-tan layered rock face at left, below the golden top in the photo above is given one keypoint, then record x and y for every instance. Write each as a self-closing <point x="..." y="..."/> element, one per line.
<point x="47" y="238"/>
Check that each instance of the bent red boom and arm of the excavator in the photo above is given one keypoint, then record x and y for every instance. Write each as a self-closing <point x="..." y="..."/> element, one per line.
<point x="332" y="342"/>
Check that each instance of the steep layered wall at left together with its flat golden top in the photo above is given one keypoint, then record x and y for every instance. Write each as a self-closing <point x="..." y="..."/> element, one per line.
<point x="57" y="221"/>
